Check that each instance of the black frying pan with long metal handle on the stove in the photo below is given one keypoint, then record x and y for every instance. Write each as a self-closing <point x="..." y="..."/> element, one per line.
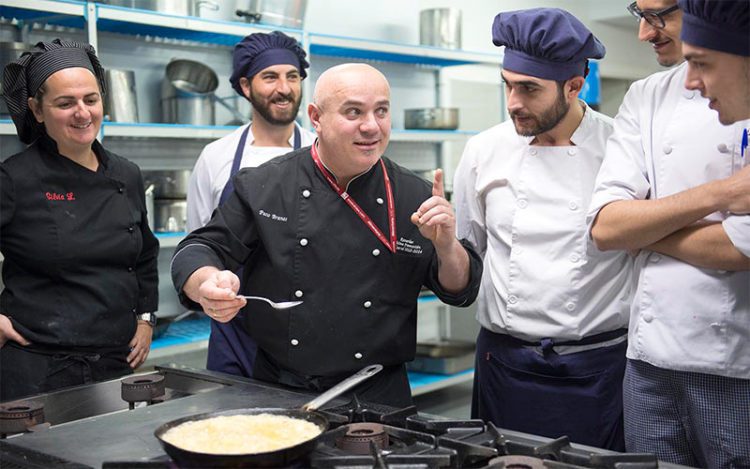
<point x="281" y="457"/>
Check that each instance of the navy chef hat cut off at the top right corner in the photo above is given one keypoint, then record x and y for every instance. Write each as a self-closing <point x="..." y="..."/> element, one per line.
<point x="723" y="26"/>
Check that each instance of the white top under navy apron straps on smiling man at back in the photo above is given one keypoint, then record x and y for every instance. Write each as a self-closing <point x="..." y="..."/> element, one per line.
<point x="211" y="171"/>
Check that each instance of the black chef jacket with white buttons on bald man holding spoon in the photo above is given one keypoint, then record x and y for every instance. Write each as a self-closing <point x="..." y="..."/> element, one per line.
<point x="298" y="240"/>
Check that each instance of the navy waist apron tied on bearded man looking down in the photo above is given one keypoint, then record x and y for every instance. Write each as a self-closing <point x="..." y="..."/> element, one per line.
<point x="528" y="387"/>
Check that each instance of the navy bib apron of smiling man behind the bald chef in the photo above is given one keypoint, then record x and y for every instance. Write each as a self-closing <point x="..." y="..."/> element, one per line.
<point x="230" y="348"/>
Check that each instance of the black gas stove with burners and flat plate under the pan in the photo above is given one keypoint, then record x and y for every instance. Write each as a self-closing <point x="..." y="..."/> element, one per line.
<point x="92" y="426"/>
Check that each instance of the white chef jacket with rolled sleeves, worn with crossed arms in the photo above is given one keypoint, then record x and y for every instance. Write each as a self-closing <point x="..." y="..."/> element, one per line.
<point x="683" y="317"/>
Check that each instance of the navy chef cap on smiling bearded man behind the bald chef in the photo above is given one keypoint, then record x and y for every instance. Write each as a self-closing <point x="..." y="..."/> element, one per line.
<point x="260" y="50"/>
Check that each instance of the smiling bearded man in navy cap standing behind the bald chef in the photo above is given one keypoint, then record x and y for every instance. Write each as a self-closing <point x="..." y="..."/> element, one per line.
<point x="268" y="72"/>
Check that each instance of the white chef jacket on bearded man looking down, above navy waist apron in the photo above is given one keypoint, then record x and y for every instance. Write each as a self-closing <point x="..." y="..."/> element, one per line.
<point x="523" y="208"/>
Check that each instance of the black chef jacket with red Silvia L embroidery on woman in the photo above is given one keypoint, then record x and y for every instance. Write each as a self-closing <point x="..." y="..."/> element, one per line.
<point x="80" y="258"/>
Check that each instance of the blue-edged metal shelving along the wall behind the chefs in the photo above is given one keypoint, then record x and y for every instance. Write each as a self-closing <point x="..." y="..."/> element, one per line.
<point x="94" y="18"/>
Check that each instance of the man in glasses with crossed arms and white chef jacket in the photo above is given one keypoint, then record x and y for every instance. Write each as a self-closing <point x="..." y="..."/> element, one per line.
<point x="667" y="190"/>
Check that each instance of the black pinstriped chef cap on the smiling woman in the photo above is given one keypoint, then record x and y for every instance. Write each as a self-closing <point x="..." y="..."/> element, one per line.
<point x="24" y="76"/>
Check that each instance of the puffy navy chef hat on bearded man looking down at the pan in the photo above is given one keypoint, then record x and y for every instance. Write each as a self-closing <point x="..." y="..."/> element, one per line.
<point x="547" y="43"/>
